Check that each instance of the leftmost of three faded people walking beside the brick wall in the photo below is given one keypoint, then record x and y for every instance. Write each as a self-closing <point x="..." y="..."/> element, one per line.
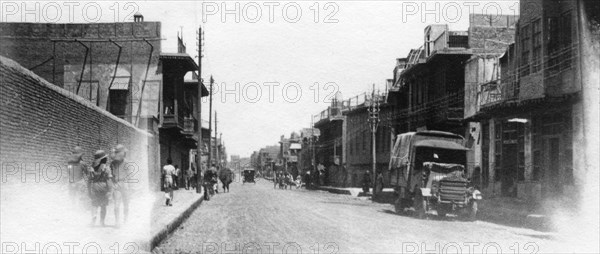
<point x="78" y="176"/>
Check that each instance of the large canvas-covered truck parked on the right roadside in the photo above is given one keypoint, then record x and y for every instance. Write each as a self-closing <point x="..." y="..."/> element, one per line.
<point x="427" y="170"/>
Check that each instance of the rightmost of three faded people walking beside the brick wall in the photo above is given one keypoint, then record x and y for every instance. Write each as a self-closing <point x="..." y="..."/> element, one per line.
<point x="123" y="184"/>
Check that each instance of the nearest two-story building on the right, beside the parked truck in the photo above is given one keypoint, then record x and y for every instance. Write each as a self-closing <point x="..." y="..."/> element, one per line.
<point x="539" y="116"/>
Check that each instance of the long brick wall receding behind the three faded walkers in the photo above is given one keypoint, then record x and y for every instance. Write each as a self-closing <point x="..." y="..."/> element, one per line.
<point x="40" y="122"/>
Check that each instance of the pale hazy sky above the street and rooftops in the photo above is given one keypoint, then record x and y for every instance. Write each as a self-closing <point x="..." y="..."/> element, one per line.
<point x="287" y="65"/>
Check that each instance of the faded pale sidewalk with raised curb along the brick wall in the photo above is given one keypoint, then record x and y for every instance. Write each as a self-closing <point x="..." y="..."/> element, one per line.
<point x="42" y="218"/>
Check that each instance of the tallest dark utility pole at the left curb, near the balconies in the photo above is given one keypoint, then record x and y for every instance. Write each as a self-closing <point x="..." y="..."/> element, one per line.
<point x="199" y="116"/>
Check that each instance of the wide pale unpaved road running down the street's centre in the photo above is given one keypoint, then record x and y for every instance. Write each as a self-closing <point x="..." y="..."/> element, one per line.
<point x="255" y="218"/>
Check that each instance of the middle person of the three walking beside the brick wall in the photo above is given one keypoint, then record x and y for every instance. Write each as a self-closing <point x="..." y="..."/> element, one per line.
<point x="100" y="185"/>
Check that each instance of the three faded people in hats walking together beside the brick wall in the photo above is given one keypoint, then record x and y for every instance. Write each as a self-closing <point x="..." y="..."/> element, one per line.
<point x="103" y="181"/>
